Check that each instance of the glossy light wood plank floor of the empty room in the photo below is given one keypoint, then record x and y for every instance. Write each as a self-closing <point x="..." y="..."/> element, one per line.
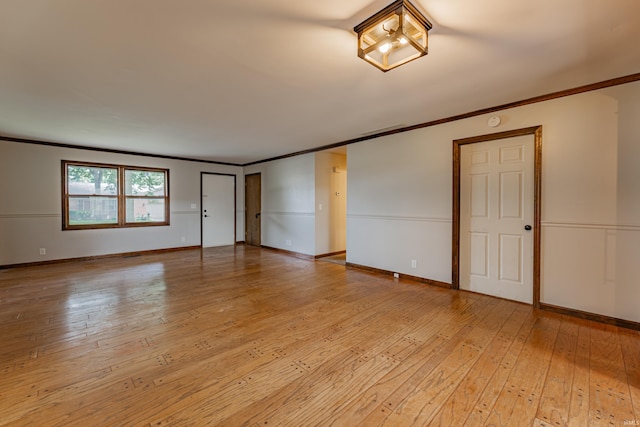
<point x="243" y="336"/>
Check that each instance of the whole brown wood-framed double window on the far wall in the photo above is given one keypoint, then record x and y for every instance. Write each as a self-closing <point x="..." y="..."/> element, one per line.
<point x="111" y="196"/>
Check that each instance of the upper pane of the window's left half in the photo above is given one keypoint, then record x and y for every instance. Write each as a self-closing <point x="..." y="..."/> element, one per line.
<point x="92" y="180"/>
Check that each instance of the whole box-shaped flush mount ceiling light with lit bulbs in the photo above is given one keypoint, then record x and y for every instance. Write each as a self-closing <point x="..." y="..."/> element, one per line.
<point x="394" y="36"/>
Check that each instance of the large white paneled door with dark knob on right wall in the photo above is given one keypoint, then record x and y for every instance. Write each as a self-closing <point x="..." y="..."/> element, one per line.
<point x="496" y="217"/>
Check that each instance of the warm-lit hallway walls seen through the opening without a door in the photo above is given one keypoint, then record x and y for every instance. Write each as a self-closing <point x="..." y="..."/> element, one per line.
<point x="331" y="202"/>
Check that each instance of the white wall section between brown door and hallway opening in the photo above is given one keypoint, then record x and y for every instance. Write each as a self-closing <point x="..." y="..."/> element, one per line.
<point x="288" y="203"/>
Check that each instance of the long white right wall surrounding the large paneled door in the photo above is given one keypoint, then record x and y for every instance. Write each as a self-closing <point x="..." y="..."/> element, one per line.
<point x="400" y="190"/>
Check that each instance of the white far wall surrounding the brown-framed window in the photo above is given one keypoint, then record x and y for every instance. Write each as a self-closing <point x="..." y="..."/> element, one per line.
<point x="31" y="212"/>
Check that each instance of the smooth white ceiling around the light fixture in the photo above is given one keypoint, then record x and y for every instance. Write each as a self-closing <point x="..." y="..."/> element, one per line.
<point x="246" y="80"/>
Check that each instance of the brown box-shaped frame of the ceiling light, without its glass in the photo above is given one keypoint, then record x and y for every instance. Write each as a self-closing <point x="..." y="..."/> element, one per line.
<point x="401" y="8"/>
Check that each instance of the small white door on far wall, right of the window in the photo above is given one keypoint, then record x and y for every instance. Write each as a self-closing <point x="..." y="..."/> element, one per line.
<point x="218" y="210"/>
